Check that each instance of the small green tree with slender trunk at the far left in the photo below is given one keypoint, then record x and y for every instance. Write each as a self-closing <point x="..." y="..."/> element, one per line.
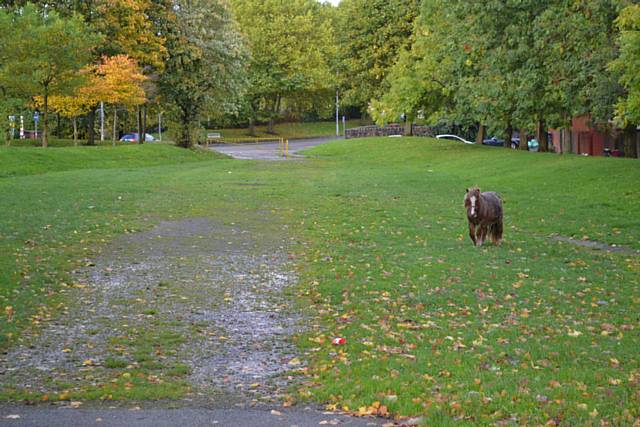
<point x="43" y="54"/>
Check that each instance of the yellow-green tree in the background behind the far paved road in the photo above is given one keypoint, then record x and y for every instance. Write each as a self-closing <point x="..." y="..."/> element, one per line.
<point x="290" y="43"/>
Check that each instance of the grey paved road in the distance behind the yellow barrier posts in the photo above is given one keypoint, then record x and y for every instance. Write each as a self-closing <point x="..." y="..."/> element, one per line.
<point x="268" y="150"/>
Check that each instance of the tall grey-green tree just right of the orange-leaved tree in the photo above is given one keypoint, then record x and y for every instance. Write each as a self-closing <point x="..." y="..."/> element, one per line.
<point x="205" y="61"/>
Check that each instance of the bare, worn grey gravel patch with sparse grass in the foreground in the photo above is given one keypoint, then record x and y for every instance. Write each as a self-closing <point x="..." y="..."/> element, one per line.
<point x="195" y="297"/>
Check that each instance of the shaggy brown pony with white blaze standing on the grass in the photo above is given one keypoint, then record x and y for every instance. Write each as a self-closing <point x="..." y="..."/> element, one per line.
<point x="484" y="212"/>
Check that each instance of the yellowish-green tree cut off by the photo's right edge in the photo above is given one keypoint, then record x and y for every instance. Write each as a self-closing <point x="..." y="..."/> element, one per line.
<point x="627" y="110"/>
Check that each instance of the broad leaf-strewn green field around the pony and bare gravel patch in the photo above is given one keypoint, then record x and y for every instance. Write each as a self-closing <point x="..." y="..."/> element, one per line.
<point x="533" y="331"/>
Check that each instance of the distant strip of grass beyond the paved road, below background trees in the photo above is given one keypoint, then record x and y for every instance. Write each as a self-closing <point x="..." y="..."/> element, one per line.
<point x="289" y="130"/>
